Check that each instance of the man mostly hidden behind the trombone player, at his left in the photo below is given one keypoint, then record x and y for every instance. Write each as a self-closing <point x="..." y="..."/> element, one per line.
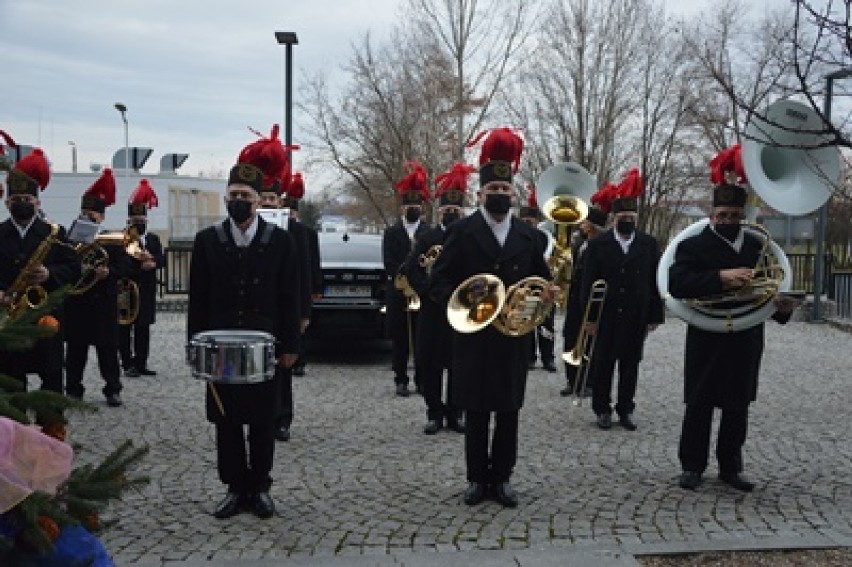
<point x="591" y="227"/>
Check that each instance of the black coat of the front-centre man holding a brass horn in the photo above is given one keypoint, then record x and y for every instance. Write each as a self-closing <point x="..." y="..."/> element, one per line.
<point x="489" y="368"/>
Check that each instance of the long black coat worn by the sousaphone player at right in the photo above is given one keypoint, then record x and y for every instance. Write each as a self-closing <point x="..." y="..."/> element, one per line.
<point x="720" y="369"/>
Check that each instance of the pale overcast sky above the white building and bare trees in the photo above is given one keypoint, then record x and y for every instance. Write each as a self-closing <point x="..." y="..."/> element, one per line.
<point x="192" y="73"/>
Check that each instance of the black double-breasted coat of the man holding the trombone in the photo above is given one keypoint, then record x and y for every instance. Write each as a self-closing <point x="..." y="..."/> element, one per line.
<point x="632" y="299"/>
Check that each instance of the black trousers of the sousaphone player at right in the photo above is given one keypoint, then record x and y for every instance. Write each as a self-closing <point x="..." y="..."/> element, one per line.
<point x="695" y="438"/>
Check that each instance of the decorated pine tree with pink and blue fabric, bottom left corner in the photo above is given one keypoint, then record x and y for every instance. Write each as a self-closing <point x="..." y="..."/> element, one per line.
<point x="48" y="512"/>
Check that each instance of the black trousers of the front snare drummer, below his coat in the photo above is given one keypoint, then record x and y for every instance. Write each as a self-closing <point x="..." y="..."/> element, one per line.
<point x="245" y="469"/>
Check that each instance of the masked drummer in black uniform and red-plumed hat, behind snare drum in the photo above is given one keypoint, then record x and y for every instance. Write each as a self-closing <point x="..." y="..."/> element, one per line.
<point x="244" y="274"/>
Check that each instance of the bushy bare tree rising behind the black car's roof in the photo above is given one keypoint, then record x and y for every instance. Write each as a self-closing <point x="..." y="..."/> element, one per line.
<point x="397" y="107"/>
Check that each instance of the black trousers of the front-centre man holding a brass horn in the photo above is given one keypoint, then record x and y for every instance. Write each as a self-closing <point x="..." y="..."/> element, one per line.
<point x="495" y="465"/>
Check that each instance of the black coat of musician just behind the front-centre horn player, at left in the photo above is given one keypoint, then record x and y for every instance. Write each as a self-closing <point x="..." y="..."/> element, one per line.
<point x="434" y="334"/>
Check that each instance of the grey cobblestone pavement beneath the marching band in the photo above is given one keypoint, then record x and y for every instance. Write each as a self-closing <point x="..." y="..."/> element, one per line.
<point x="359" y="478"/>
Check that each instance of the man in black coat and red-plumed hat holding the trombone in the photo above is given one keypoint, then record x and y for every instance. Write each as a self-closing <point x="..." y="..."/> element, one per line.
<point x="626" y="258"/>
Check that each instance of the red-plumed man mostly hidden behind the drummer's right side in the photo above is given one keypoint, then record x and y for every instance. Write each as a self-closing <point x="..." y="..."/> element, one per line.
<point x="271" y="197"/>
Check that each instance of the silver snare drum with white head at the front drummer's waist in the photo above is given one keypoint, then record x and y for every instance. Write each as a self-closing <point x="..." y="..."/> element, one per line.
<point x="232" y="356"/>
